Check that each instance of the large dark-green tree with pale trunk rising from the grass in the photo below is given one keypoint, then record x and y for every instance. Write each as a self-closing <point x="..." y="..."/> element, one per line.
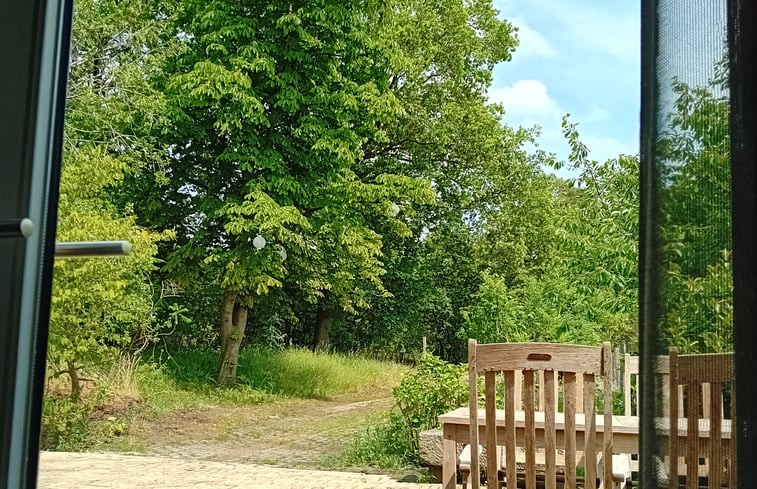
<point x="271" y="105"/>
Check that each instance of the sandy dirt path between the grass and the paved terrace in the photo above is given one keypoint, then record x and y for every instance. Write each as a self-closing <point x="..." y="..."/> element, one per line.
<point x="295" y="433"/>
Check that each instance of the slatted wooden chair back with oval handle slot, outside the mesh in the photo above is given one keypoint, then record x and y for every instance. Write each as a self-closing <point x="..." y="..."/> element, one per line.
<point x="578" y="365"/>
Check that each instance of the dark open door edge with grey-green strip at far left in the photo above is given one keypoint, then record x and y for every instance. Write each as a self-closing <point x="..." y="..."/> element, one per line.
<point x="34" y="52"/>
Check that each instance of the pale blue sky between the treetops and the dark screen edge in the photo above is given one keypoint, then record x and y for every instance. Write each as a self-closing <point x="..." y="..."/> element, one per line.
<point x="579" y="57"/>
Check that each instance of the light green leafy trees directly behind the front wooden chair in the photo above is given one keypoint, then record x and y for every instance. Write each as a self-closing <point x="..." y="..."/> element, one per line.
<point x="583" y="289"/>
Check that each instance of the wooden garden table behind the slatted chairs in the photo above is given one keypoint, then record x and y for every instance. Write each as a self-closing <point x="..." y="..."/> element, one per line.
<point x="625" y="431"/>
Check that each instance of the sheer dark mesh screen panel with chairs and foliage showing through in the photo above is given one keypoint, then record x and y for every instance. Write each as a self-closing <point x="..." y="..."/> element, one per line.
<point x="690" y="259"/>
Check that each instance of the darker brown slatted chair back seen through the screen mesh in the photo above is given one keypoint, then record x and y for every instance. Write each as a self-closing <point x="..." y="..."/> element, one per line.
<point x="690" y="373"/>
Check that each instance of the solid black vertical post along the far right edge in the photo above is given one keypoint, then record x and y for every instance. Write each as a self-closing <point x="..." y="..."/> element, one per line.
<point x="742" y="40"/>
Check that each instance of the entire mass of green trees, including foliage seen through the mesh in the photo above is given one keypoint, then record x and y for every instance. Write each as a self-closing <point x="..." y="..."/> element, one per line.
<point x="332" y="175"/>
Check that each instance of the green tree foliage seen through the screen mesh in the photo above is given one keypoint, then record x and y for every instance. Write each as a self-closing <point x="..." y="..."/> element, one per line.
<point x="696" y="213"/>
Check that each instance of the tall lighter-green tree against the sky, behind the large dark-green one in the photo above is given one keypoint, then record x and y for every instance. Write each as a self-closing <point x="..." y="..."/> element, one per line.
<point x="490" y="194"/>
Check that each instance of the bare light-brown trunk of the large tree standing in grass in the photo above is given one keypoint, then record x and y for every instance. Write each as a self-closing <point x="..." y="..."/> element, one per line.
<point x="233" y="325"/>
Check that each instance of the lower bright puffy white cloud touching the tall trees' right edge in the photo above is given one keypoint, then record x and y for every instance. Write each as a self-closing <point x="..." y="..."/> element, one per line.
<point x="525" y="98"/>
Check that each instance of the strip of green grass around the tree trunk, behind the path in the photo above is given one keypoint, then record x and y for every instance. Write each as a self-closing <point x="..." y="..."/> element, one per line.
<point x="128" y="390"/>
